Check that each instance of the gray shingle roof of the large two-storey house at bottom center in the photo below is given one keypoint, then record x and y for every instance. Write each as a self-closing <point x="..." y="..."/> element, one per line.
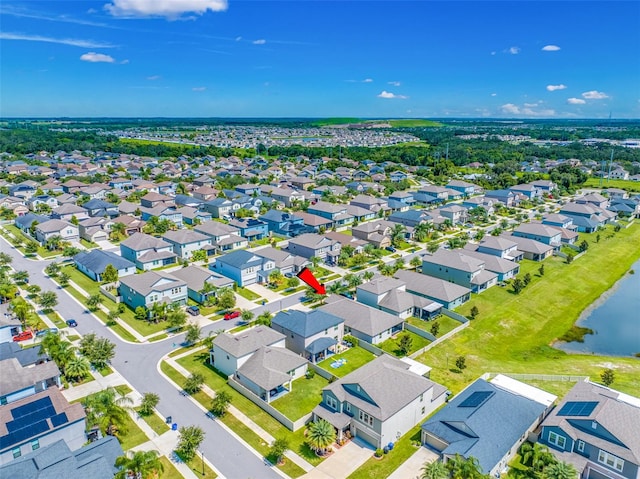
<point x="383" y="387"/>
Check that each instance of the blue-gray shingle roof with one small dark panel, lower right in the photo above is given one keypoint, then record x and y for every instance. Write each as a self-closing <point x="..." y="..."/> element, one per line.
<point x="476" y="431"/>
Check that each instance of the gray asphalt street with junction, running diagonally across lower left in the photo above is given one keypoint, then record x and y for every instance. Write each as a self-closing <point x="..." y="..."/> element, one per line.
<point x="138" y="363"/>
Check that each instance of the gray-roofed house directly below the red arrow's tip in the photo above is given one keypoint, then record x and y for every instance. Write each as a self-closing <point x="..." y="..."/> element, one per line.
<point x="364" y="322"/>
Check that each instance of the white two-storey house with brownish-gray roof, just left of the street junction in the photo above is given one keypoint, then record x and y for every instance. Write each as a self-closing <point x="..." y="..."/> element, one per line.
<point x="152" y="287"/>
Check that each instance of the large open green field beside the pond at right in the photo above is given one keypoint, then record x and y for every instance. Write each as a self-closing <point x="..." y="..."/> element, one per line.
<point x="515" y="333"/>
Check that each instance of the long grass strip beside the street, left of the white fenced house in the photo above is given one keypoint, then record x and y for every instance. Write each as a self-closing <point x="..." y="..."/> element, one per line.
<point x="196" y="362"/>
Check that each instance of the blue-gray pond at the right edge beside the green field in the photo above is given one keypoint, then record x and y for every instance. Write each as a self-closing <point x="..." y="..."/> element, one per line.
<point x="615" y="321"/>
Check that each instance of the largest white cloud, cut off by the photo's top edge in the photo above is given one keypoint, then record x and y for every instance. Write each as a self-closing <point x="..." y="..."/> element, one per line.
<point x="170" y="9"/>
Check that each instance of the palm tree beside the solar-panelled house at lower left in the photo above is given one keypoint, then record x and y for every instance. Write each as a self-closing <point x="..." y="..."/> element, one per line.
<point x="108" y="410"/>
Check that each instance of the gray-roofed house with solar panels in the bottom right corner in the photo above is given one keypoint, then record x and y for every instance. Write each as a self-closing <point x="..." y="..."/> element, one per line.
<point x="595" y="428"/>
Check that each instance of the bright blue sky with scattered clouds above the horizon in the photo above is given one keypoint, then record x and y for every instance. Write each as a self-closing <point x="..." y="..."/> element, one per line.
<point x="236" y="58"/>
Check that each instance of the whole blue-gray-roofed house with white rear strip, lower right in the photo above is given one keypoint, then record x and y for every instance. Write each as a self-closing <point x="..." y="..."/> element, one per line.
<point x="488" y="421"/>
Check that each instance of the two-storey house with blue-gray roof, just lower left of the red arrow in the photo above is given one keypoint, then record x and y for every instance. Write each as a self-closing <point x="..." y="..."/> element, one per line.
<point x="313" y="334"/>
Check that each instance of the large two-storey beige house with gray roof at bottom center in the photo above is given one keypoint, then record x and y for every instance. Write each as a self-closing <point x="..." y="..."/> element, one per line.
<point x="380" y="401"/>
